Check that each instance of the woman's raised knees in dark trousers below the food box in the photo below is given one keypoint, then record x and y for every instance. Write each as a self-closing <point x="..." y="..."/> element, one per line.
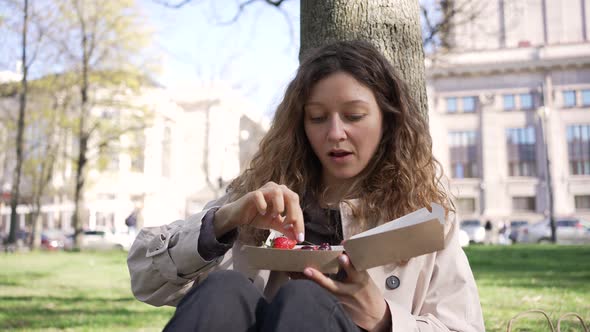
<point x="228" y="301"/>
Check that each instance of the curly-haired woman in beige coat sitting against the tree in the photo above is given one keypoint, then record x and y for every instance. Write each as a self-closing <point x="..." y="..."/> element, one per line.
<point x="348" y="150"/>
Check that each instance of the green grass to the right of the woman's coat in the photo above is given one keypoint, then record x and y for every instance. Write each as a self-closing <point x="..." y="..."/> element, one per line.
<point x="512" y="279"/>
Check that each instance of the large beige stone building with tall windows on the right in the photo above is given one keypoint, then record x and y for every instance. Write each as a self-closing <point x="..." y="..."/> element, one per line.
<point x="510" y="110"/>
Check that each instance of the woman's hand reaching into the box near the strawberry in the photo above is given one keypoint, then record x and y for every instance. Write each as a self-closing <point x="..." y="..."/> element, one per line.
<point x="272" y="206"/>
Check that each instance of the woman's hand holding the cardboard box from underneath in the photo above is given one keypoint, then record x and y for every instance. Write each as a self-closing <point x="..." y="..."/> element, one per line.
<point x="359" y="296"/>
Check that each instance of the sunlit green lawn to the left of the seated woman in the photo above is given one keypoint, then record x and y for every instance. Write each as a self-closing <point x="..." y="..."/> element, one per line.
<point x="72" y="291"/>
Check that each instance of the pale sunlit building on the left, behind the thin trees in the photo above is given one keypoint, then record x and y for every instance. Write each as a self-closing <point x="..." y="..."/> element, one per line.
<point x="194" y="145"/>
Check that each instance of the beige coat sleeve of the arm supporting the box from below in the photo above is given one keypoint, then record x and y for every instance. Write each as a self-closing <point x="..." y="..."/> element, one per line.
<point x="452" y="300"/>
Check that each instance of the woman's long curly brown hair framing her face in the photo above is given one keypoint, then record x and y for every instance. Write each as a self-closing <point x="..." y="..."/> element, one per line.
<point x="402" y="175"/>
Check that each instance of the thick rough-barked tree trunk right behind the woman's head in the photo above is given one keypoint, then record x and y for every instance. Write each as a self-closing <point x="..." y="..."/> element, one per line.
<point x="392" y="26"/>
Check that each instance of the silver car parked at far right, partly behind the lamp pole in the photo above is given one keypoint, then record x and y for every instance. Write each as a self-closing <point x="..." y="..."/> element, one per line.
<point x="567" y="231"/>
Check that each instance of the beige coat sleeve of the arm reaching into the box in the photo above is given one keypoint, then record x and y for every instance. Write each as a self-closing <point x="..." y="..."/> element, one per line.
<point x="164" y="261"/>
